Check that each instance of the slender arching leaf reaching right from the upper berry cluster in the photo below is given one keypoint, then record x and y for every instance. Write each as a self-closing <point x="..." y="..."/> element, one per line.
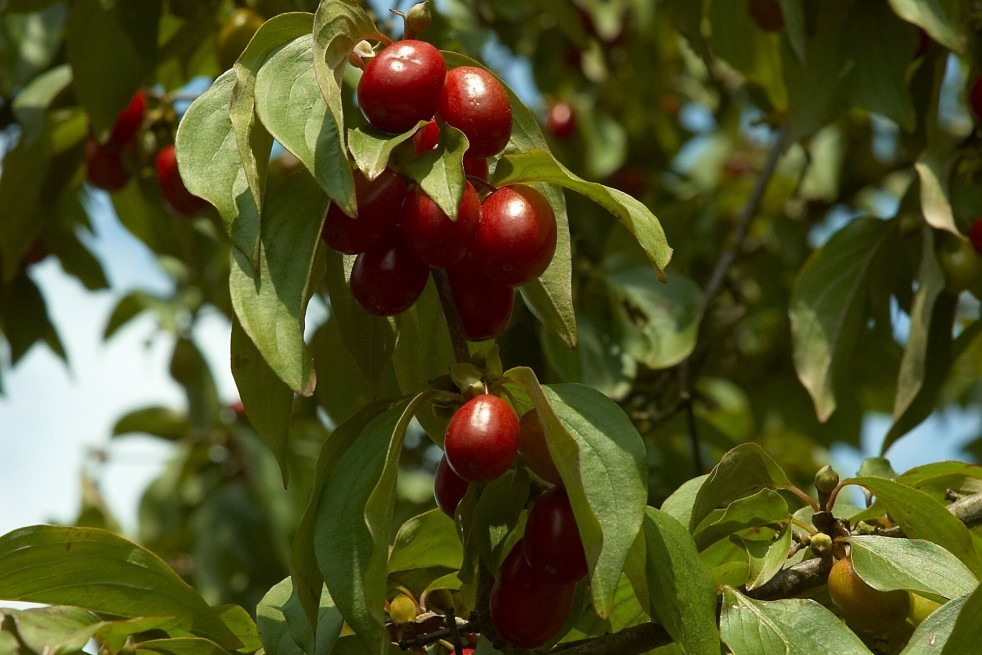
<point x="538" y="165"/>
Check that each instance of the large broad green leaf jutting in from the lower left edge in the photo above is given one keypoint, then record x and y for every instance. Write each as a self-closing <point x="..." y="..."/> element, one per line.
<point x="102" y="572"/>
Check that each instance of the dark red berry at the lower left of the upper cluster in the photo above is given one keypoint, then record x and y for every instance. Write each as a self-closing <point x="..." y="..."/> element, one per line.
<point x="387" y="278"/>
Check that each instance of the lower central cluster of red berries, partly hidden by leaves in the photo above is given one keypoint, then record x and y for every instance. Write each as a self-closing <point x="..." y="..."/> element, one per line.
<point x="533" y="593"/>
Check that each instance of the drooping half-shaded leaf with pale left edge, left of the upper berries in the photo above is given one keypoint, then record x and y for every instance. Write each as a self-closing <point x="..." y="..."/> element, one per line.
<point x="271" y="302"/>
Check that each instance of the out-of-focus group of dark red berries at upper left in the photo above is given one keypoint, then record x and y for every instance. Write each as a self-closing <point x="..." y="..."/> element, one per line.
<point x="107" y="164"/>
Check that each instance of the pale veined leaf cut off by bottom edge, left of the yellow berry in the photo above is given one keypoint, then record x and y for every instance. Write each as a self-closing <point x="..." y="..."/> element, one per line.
<point x="784" y="627"/>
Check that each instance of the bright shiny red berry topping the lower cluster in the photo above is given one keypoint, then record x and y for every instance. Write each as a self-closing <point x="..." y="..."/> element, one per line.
<point x="482" y="438"/>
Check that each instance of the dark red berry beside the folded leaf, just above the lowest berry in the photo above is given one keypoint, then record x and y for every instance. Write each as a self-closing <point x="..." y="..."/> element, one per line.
<point x="552" y="540"/>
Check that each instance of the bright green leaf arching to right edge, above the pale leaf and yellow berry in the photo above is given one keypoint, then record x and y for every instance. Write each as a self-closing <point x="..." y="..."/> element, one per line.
<point x="922" y="517"/>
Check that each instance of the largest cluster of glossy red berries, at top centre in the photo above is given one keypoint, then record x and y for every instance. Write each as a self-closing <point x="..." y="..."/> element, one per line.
<point x="399" y="234"/>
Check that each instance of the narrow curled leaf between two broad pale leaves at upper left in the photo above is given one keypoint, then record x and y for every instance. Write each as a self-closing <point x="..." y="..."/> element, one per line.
<point x="251" y="138"/>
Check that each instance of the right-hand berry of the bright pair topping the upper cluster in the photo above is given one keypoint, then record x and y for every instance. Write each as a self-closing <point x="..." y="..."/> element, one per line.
<point x="476" y="103"/>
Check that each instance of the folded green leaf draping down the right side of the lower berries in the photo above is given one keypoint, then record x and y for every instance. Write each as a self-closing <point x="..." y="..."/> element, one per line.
<point x="602" y="461"/>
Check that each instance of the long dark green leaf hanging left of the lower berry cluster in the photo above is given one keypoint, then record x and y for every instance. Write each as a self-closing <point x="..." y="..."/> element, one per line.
<point x="353" y="522"/>
